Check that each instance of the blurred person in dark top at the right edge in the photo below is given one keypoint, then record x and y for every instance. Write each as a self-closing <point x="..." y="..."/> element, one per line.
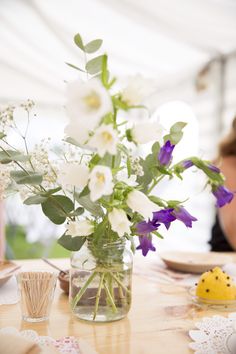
<point x="223" y="236"/>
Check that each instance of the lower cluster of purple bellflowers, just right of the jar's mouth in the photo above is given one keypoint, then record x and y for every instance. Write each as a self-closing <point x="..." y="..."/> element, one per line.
<point x="164" y="216"/>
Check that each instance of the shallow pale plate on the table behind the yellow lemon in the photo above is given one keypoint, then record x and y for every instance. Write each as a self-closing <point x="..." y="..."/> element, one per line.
<point x="194" y="262"/>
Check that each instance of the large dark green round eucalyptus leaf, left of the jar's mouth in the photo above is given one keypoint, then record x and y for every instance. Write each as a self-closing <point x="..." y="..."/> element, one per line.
<point x="57" y="208"/>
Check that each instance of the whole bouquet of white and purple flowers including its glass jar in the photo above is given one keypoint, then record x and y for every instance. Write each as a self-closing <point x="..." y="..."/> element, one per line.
<point x="98" y="186"/>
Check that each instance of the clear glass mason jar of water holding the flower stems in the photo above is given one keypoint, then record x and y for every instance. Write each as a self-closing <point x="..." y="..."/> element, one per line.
<point x="100" y="282"/>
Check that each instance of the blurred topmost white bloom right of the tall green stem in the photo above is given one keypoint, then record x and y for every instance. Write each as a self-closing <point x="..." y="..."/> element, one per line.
<point x="137" y="90"/>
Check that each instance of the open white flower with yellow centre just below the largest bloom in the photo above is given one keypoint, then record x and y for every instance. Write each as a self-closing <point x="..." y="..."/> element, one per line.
<point x="105" y="139"/>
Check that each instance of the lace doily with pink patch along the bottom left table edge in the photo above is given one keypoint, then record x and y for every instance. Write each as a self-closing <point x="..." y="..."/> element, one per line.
<point x="65" y="345"/>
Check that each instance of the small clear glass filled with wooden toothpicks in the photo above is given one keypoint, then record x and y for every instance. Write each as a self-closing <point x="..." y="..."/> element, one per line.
<point x="36" y="290"/>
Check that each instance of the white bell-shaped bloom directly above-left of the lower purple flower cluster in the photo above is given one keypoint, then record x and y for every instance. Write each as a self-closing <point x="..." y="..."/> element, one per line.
<point x="139" y="202"/>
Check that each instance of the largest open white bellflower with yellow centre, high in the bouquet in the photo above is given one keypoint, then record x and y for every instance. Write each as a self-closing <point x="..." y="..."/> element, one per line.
<point x="87" y="103"/>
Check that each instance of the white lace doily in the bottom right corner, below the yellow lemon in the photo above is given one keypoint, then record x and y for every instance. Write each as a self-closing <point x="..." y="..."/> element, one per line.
<point x="215" y="335"/>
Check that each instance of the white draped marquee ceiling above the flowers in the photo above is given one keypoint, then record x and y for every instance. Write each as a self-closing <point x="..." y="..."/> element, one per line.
<point x="163" y="39"/>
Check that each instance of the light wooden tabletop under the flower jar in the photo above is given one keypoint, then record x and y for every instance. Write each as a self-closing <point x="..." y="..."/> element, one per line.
<point x="158" y="322"/>
